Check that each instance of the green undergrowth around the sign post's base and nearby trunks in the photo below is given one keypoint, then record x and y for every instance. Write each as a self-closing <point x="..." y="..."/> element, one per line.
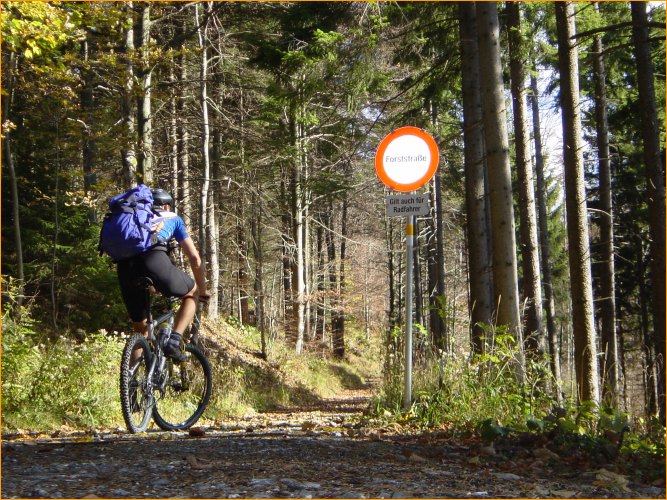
<point x="460" y="392"/>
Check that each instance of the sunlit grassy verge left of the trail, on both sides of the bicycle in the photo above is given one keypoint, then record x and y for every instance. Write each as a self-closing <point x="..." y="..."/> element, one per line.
<point x="67" y="384"/>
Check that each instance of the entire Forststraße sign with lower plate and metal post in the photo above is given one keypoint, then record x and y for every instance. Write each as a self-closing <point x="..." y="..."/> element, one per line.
<point x="405" y="160"/>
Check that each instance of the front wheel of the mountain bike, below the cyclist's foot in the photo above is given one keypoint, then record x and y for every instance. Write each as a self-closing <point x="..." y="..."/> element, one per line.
<point x="187" y="392"/>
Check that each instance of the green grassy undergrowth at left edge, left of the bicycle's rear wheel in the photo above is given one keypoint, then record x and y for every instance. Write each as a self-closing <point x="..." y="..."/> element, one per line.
<point x="49" y="384"/>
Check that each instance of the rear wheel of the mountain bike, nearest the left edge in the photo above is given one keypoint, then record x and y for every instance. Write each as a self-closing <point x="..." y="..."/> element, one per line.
<point x="136" y="400"/>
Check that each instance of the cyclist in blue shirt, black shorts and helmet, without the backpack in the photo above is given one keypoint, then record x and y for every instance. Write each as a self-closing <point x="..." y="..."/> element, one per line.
<point x="167" y="279"/>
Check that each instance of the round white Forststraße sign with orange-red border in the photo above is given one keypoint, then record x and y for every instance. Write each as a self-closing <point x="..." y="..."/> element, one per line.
<point x="406" y="159"/>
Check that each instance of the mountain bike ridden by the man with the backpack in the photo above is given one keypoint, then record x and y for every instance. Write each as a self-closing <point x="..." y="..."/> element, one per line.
<point x="153" y="386"/>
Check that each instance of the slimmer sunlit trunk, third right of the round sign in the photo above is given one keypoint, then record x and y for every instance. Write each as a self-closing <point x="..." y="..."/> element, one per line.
<point x="532" y="285"/>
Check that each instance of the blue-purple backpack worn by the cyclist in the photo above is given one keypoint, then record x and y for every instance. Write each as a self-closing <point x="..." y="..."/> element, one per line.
<point x="126" y="230"/>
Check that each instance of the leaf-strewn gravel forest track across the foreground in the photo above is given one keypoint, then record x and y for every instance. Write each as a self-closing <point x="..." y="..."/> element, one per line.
<point x="323" y="451"/>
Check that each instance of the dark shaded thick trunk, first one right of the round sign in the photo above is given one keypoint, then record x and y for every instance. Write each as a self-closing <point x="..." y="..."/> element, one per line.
<point x="477" y="228"/>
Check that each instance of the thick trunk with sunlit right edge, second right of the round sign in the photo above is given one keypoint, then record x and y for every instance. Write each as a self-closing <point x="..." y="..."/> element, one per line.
<point x="503" y="240"/>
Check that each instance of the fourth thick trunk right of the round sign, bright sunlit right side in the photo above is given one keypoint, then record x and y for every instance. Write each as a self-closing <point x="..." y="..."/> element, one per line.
<point x="581" y="287"/>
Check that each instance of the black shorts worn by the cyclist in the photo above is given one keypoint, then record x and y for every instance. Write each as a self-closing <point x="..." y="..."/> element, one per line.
<point x="155" y="264"/>
